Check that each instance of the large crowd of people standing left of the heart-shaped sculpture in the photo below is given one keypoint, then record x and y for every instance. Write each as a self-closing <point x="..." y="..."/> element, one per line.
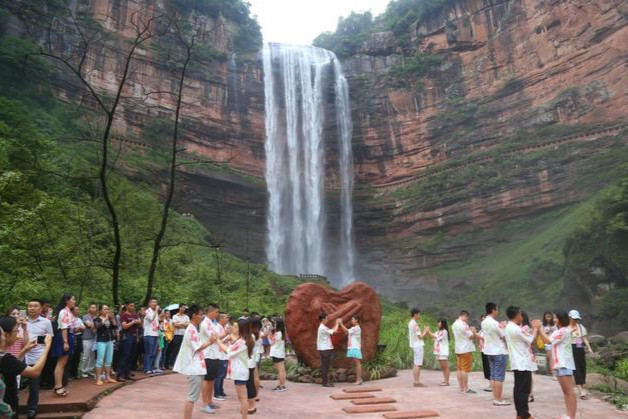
<point x="44" y="347"/>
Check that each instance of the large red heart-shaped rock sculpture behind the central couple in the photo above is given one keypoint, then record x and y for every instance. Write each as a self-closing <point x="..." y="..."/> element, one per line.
<point x="308" y="300"/>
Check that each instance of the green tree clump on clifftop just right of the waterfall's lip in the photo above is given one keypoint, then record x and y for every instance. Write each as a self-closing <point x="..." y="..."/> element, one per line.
<point x="350" y="34"/>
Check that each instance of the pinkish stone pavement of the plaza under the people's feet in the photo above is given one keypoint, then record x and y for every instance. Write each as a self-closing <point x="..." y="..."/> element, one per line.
<point x="162" y="397"/>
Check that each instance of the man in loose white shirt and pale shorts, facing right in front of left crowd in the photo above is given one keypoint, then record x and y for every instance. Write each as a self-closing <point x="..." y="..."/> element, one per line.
<point x="191" y="361"/>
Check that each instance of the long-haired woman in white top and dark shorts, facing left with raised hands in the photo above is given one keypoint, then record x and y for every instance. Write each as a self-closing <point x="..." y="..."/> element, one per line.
<point x="239" y="352"/>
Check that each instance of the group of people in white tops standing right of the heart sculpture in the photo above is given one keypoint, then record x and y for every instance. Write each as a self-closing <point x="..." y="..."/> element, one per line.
<point x="560" y="336"/>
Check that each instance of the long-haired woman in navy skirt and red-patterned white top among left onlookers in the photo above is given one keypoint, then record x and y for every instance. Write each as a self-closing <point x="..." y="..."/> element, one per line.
<point x="63" y="343"/>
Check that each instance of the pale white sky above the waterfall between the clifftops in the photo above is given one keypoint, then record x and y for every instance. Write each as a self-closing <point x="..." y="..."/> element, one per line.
<point x="300" y="21"/>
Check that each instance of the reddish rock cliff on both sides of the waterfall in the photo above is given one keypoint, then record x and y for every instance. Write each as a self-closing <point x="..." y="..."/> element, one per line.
<point x="466" y="141"/>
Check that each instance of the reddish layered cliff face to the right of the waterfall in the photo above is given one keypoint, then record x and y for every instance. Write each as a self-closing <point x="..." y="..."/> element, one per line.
<point x="450" y="156"/>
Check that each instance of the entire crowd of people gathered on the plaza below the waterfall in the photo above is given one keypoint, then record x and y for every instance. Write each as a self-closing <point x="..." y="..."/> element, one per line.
<point x="46" y="346"/>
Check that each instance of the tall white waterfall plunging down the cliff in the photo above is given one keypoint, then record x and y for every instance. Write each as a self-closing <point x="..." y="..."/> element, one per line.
<point x="295" y="81"/>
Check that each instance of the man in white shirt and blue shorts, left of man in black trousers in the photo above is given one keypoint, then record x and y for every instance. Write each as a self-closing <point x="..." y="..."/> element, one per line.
<point x="496" y="352"/>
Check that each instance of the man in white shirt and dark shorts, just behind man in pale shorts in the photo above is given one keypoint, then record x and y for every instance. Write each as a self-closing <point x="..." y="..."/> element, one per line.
<point x="210" y="333"/>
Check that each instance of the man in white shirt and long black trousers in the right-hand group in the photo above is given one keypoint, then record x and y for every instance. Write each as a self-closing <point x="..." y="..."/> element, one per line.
<point x="522" y="360"/>
